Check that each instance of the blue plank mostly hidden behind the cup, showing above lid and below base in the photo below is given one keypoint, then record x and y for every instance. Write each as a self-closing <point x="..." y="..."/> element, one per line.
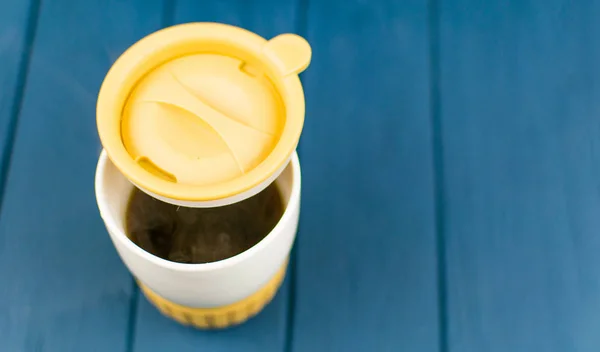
<point x="267" y="331"/>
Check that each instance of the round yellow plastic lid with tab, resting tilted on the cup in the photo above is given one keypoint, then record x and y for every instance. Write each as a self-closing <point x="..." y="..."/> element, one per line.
<point x="203" y="111"/>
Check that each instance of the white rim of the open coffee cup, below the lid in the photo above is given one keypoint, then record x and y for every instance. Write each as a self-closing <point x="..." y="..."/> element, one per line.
<point x="119" y="235"/>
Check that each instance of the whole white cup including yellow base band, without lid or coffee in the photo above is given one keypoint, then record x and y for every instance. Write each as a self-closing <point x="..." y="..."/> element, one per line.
<point x="216" y="294"/>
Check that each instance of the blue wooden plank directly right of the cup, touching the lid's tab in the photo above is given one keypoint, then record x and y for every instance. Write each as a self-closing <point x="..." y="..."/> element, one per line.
<point x="366" y="265"/>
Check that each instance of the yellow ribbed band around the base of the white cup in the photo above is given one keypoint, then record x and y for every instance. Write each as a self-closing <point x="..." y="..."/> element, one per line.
<point x="218" y="317"/>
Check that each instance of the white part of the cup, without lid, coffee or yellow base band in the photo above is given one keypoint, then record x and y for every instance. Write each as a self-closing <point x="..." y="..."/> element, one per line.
<point x="207" y="285"/>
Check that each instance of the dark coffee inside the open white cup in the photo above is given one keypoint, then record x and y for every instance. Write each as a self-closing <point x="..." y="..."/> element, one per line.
<point x="201" y="235"/>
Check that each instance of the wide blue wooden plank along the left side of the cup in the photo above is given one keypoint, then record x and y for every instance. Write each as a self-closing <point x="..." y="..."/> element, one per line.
<point x="64" y="288"/>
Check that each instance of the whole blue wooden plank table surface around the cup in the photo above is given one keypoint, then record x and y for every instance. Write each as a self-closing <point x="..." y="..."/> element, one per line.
<point x="451" y="170"/>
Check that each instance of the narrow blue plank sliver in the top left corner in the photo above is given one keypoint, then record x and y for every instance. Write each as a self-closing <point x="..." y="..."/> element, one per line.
<point x="18" y="19"/>
